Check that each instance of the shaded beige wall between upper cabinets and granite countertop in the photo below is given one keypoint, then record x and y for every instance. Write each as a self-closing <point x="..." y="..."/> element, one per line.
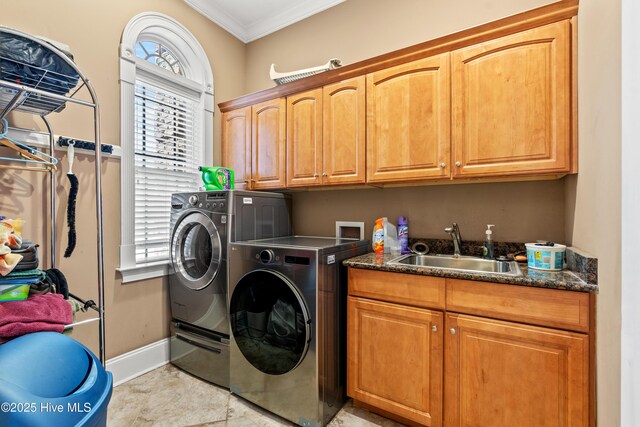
<point x="523" y="211"/>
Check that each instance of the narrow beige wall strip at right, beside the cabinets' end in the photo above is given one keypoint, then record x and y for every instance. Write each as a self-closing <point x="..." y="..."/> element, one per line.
<point x="594" y="206"/>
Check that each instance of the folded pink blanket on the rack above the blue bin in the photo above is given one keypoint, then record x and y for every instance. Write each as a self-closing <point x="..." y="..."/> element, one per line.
<point x="47" y="312"/>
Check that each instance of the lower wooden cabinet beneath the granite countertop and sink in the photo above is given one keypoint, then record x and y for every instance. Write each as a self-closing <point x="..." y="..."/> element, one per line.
<point x="498" y="371"/>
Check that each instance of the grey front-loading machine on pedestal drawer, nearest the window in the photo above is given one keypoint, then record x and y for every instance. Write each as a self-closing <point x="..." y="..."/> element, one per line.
<point x="203" y="224"/>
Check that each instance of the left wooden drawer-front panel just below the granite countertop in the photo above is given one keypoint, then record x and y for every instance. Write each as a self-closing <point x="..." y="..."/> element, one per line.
<point x="421" y="291"/>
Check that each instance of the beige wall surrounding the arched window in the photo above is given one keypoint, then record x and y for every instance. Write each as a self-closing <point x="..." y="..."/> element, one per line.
<point x="138" y="313"/>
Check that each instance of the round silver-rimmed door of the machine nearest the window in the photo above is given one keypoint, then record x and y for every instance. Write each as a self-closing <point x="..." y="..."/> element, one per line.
<point x="196" y="250"/>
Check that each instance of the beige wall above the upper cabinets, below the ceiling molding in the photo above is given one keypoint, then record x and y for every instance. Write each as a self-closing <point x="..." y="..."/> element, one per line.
<point x="360" y="29"/>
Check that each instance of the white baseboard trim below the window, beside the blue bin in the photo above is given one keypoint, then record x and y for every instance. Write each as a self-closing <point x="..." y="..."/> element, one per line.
<point x="139" y="361"/>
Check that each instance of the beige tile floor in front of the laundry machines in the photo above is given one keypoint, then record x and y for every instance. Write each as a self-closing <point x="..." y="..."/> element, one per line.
<point x="170" y="397"/>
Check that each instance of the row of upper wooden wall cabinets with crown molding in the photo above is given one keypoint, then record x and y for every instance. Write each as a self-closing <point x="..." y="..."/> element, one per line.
<point x="494" y="102"/>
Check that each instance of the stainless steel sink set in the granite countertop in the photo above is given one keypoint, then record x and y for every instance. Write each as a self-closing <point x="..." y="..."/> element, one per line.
<point x="461" y="263"/>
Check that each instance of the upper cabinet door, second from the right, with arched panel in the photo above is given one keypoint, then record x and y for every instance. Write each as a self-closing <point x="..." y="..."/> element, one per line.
<point x="408" y="121"/>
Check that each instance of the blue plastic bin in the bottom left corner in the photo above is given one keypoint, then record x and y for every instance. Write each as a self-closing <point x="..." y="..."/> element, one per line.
<point x="49" y="379"/>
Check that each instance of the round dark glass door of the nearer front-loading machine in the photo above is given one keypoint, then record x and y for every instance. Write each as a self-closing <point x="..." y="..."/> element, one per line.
<point x="270" y="322"/>
